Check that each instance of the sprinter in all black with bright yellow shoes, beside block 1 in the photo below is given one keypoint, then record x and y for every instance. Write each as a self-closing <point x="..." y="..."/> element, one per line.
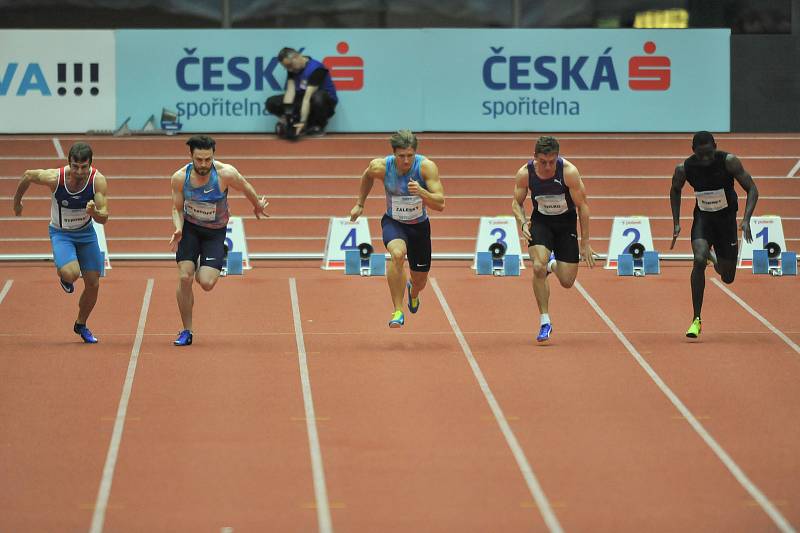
<point x="711" y="173"/>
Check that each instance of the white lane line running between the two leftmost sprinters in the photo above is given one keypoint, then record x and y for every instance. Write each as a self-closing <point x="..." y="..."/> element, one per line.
<point x="100" y="506"/>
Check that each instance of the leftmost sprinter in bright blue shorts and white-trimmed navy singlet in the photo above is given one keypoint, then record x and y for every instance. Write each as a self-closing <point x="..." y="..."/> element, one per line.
<point x="78" y="201"/>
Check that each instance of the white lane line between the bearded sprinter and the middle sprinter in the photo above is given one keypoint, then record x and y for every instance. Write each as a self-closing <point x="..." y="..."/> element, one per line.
<point x="318" y="471"/>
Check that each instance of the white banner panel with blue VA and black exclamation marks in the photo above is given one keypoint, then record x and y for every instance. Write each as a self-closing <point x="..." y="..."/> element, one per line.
<point x="55" y="81"/>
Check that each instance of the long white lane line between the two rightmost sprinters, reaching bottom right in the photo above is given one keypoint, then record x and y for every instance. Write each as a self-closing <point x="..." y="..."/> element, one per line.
<point x="733" y="468"/>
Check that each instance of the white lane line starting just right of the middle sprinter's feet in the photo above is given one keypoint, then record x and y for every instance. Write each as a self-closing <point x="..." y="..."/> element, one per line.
<point x="534" y="487"/>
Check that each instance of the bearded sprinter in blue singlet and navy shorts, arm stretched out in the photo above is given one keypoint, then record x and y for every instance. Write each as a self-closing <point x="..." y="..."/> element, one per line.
<point x="200" y="214"/>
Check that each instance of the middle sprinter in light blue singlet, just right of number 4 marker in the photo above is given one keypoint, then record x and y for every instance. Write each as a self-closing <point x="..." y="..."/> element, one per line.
<point x="412" y="185"/>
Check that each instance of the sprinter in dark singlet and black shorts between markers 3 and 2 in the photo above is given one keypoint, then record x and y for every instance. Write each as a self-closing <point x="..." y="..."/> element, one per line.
<point x="559" y="200"/>
